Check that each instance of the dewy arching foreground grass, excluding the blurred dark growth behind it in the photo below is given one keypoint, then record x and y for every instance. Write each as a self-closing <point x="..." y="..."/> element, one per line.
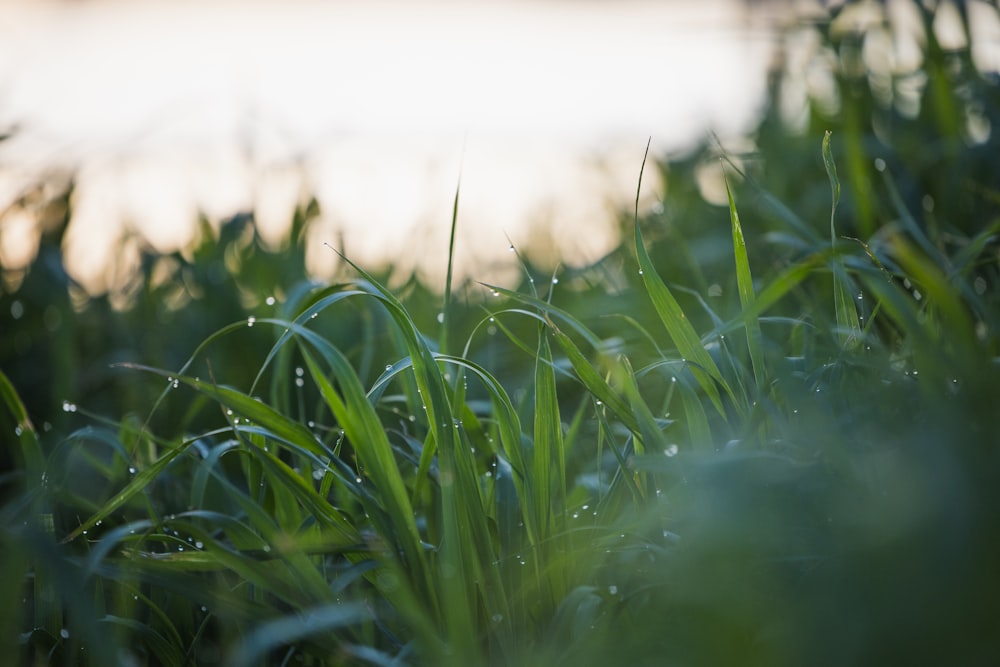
<point x="661" y="495"/>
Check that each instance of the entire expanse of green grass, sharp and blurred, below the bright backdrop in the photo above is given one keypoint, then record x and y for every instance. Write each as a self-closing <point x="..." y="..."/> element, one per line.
<point x="760" y="433"/>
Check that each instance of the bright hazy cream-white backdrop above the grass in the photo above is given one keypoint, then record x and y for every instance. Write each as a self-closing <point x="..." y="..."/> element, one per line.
<point x="164" y="109"/>
